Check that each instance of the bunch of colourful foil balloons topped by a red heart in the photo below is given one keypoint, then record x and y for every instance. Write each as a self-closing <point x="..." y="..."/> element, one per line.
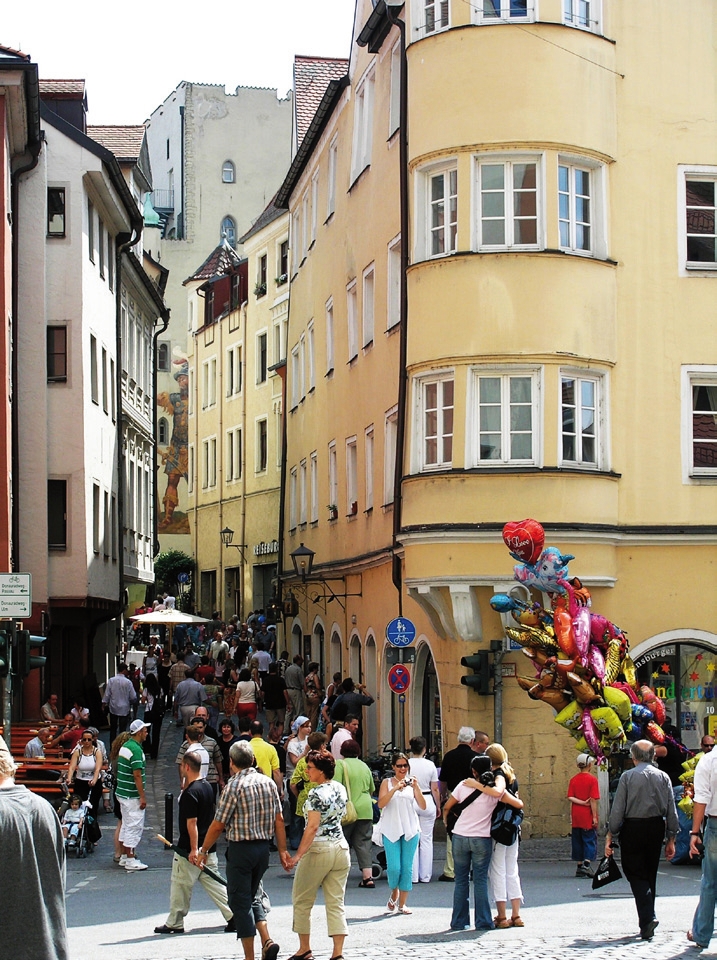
<point x="582" y="665"/>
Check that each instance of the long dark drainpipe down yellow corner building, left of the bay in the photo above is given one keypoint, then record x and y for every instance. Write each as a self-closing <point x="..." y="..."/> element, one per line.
<point x="403" y="333"/>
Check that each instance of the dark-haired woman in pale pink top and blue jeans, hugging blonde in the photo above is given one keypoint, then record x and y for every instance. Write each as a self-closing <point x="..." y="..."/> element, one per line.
<point x="477" y="797"/>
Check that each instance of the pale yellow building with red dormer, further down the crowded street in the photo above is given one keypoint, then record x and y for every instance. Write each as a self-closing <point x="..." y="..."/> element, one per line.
<point x="235" y="418"/>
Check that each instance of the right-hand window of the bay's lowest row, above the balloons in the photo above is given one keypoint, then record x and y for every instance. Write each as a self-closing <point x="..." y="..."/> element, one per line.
<point x="580" y="419"/>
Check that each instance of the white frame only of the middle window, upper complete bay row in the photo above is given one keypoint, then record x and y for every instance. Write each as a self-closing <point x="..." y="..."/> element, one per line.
<point x="510" y="161"/>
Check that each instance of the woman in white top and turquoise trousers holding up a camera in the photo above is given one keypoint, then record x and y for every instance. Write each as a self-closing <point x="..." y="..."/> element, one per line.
<point x="400" y="829"/>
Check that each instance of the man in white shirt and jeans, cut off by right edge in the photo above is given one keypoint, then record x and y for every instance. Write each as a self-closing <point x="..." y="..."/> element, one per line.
<point x="704" y="813"/>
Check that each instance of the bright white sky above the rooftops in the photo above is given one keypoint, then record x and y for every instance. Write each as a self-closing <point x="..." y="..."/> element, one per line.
<point x="132" y="63"/>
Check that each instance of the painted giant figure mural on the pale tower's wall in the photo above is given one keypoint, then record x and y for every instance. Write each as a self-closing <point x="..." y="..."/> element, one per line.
<point x="175" y="457"/>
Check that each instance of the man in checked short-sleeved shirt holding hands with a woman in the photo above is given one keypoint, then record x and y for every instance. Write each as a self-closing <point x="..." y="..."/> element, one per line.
<point x="250" y="811"/>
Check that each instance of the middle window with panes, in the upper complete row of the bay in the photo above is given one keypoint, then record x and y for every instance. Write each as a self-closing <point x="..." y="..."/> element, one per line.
<point x="508" y="191"/>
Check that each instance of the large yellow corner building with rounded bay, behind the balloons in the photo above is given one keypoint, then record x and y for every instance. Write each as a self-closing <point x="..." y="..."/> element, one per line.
<point x="560" y="242"/>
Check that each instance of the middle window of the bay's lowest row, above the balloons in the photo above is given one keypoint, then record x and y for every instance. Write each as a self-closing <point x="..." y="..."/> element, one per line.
<point x="507" y="424"/>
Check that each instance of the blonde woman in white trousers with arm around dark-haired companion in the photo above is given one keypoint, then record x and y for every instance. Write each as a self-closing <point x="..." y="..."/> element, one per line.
<point x="503" y="877"/>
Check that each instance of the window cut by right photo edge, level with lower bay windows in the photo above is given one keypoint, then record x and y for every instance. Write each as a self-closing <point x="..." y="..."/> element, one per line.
<point x="699" y="386"/>
